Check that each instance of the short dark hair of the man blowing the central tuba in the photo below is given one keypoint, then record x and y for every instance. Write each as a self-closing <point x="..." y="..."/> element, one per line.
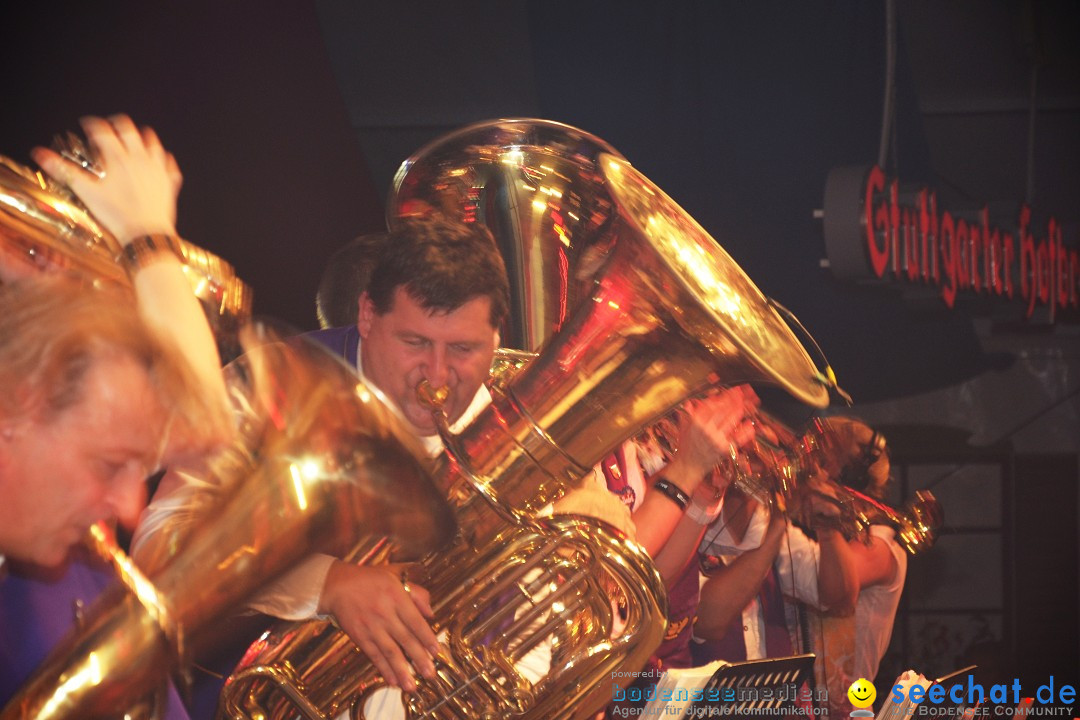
<point x="442" y="265"/>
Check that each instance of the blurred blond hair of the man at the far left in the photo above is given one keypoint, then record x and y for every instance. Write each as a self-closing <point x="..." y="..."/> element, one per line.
<point x="55" y="329"/>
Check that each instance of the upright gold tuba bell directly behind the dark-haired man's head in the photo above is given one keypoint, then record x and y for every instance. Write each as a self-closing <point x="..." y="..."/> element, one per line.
<point x="535" y="184"/>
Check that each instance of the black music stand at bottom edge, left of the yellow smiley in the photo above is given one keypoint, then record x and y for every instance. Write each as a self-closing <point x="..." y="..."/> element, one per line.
<point x="747" y="689"/>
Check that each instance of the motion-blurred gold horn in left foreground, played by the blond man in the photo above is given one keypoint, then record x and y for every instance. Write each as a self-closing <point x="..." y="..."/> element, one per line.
<point x="325" y="464"/>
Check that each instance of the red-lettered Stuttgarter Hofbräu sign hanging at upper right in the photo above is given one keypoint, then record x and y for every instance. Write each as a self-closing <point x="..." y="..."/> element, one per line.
<point x="903" y="237"/>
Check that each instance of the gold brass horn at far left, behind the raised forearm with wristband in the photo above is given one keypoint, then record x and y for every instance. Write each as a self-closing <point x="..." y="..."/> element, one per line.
<point x="48" y="225"/>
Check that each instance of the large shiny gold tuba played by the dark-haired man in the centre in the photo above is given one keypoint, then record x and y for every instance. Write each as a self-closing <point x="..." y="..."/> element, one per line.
<point x="668" y="316"/>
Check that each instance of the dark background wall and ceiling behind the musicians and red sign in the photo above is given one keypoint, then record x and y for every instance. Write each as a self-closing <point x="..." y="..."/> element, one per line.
<point x="289" y="120"/>
